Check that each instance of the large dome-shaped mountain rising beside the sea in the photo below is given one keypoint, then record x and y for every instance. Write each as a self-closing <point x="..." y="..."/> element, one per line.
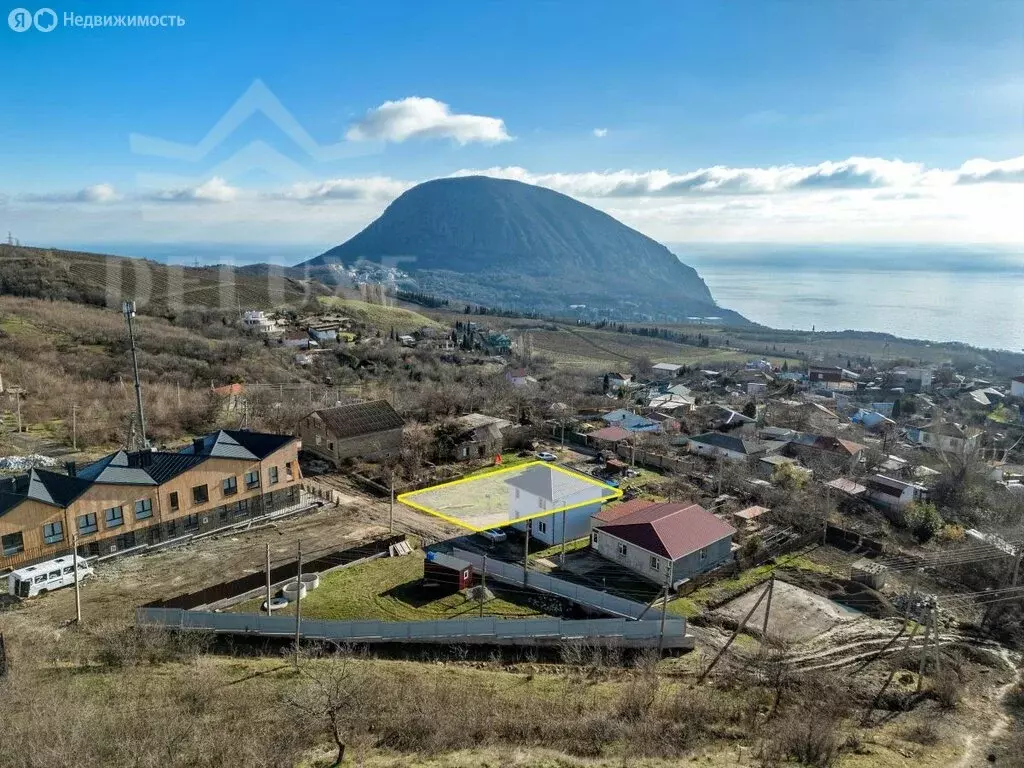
<point x="513" y="245"/>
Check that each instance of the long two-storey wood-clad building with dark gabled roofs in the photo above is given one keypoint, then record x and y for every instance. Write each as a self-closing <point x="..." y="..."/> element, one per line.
<point x="138" y="499"/>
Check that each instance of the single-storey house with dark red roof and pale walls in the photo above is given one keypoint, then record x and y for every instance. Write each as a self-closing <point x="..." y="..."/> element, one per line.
<point x="662" y="541"/>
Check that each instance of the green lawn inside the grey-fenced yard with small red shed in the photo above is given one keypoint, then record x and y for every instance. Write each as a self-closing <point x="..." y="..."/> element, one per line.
<point x="390" y="589"/>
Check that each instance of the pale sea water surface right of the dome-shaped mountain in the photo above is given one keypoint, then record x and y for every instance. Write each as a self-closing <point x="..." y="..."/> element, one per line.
<point x="973" y="295"/>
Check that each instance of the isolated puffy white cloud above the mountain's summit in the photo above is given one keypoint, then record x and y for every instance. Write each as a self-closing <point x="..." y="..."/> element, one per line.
<point x="425" y="118"/>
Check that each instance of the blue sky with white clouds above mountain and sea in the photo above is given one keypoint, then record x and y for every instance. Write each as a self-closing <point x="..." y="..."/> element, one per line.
<point x="769" y="121"/>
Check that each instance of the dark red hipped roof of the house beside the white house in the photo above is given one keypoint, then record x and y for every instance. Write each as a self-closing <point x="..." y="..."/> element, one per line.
<point x="670" y="530"/>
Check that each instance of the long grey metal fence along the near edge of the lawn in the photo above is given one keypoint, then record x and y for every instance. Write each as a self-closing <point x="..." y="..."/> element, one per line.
<point x="616" y="632"/>
